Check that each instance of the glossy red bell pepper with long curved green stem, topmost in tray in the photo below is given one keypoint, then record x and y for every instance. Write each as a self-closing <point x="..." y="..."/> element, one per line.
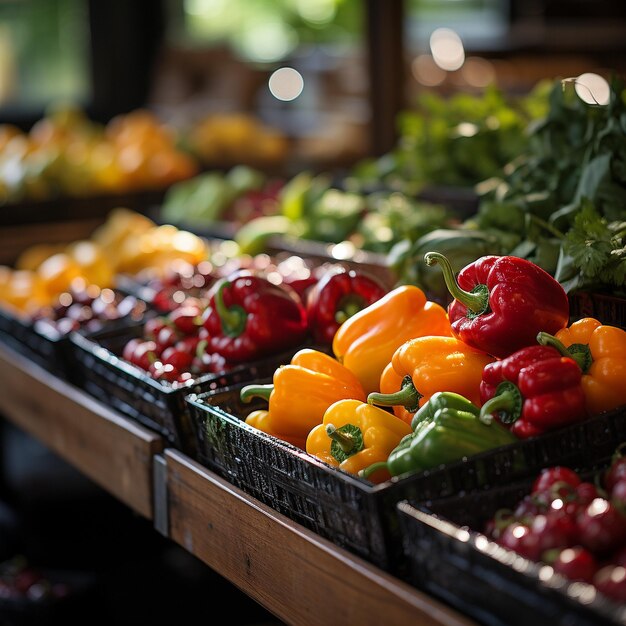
<point x="500" y="303"/>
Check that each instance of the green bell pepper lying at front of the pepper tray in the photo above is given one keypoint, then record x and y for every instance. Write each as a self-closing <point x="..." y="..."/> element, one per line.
<point x="445" y="429"/>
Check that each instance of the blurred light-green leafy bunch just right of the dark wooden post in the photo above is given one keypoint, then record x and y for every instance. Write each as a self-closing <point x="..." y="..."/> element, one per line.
<point x="455" y="141"/>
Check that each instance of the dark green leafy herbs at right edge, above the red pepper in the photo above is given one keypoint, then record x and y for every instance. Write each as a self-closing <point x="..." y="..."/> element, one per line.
<point x="570" y="187"/>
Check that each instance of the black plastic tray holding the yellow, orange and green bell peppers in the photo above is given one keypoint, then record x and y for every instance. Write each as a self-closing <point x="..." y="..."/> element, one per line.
<point x="352" y="512"/>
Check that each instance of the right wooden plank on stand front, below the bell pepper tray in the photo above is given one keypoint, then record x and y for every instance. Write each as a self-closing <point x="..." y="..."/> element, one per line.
<point x="297" y="575"/>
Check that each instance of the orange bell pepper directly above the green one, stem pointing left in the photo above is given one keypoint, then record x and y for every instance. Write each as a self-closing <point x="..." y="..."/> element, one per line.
<point x="420" y="367"/>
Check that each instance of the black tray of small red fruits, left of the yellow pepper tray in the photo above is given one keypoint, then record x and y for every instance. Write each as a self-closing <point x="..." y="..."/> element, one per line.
<point x="158" y="405"/>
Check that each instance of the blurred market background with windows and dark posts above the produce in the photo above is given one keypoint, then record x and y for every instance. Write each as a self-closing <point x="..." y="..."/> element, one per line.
<point x="329" y="76"/>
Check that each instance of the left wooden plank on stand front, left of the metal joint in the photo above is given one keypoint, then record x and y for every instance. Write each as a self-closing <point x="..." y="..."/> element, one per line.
<point x="114" y="452"/>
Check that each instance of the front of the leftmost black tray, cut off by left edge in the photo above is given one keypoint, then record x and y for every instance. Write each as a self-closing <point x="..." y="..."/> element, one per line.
<point x="38" y="342"/>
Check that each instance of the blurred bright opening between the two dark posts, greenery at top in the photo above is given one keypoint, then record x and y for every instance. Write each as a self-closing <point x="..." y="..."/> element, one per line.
<point x="296" y="65"/>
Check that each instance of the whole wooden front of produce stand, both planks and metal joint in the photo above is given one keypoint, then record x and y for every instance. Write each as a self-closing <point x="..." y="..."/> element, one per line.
<point x="294" y="573"/>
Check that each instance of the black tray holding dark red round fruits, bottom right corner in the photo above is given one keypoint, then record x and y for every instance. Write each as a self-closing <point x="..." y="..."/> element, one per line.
<point x="448" y="556"/>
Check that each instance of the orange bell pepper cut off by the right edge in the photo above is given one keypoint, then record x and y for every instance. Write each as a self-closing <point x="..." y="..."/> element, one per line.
<point x="600" y="351"/>
